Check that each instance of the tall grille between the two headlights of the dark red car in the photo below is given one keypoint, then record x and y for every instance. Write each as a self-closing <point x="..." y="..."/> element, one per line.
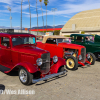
<point x="45" y="67"/>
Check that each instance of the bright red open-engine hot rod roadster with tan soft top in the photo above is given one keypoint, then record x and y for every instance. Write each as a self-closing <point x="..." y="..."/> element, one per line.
<point x="73" y="54"/>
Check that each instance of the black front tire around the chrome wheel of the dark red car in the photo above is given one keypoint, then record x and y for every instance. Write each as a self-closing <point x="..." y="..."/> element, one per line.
<point x="29" y="78"/>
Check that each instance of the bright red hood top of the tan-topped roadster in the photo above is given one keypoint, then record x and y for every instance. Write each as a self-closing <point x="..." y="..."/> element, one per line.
<point x="70" y="45"/>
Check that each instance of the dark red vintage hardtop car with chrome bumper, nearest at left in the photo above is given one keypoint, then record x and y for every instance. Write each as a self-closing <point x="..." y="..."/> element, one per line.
<point x="18" y="51"/>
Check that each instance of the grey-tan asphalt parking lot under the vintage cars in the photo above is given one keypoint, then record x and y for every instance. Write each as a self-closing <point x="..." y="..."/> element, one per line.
<point x="82" y="84"/>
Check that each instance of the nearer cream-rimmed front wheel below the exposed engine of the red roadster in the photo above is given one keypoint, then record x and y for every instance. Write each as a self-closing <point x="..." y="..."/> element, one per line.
<point x="71" y="63"/>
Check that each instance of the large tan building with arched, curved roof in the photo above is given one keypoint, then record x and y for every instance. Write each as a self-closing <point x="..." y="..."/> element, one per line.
<point x="87" y="21"/>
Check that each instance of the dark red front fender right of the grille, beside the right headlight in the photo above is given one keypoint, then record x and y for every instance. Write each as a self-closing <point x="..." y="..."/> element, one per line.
<point x="54" y="68"/>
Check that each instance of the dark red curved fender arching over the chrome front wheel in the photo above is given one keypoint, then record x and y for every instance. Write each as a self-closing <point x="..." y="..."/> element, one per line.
<point x="29" y="67"/>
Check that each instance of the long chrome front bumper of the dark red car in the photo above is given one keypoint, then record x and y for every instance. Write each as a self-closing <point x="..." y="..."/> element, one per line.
<point x="48" y="77"/>
